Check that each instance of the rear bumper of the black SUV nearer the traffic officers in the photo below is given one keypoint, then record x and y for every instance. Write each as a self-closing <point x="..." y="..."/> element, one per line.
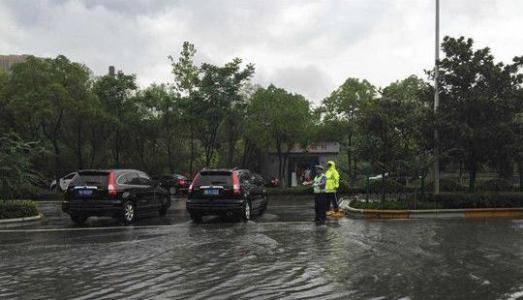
<point x="214" y="207"/>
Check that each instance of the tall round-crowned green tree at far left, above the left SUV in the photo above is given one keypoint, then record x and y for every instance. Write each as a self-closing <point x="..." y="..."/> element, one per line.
<point x="42" y="94"/>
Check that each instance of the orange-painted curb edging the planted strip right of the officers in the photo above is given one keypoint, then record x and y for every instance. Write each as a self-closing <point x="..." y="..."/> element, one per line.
<point x="467" y="213"/>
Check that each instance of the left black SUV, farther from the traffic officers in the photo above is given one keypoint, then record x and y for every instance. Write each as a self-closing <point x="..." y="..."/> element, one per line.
<point x="122" y="194"/>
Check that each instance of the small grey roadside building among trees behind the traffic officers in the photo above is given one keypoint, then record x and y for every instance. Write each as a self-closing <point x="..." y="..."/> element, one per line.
<point x="298" y="160"/>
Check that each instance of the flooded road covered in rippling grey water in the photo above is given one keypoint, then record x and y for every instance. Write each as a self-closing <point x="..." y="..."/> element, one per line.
<point x="281" y="255"/>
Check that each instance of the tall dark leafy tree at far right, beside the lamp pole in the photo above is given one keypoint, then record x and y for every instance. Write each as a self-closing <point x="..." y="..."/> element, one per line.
<point x="477" y="109"/>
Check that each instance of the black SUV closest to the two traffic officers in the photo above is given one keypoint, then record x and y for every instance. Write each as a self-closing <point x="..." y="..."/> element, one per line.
<point x="226" y="192"/>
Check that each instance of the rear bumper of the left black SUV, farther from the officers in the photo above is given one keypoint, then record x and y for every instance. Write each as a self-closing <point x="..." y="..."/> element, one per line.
<point x="92" y="207"/>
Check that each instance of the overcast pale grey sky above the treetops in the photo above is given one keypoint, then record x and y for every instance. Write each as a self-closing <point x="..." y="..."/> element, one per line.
<point x="309" y="47"/>
